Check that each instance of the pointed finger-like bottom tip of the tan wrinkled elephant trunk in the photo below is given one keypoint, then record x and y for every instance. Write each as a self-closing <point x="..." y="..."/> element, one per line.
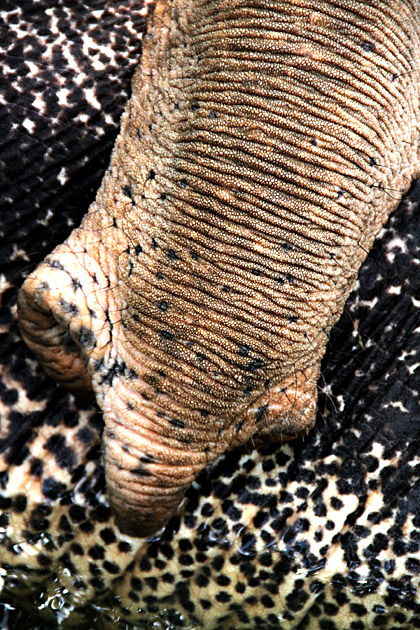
<point x="148" y="472"/>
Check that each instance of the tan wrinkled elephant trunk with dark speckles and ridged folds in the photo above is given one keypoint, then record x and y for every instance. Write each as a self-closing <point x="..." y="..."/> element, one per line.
<point x="264" y="146"/>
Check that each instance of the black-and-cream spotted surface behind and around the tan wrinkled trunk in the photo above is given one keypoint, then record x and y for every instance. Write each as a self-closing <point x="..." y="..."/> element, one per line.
<point x="322" y="533"/>
